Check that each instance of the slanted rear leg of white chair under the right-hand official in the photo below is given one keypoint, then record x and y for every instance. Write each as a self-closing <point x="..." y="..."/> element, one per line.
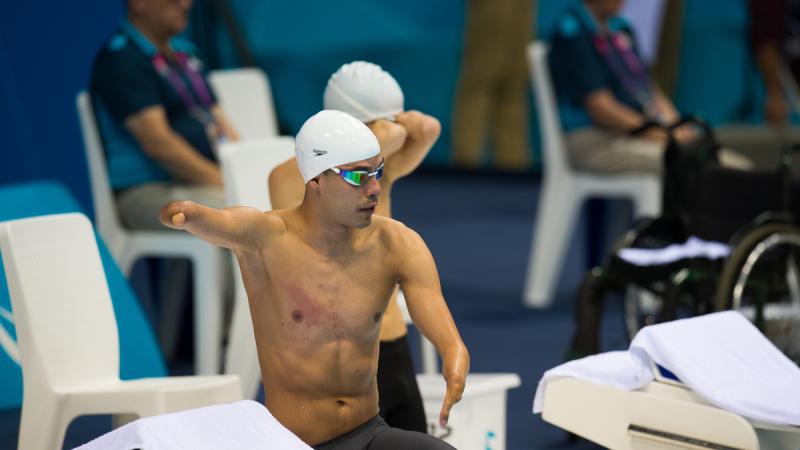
<point x="555" y="221"/>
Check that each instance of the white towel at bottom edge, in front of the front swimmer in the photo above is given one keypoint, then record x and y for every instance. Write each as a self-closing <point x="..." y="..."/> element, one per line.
<point x="243" y="425"/>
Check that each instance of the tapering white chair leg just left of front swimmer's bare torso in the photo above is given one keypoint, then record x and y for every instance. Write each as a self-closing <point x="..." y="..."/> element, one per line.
<point x="242" y="357"/>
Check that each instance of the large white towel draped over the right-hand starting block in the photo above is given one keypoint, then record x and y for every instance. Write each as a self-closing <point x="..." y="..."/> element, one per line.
<point x="726" y="359"/>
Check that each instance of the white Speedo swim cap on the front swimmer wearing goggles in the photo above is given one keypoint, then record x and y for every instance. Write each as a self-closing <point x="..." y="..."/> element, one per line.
<point x="332" y="138"/>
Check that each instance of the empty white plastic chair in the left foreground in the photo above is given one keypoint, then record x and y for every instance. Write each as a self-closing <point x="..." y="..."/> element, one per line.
<point x="67" y="335"/>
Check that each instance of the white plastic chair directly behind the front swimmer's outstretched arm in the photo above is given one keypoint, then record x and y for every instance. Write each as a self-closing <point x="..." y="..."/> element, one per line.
<point x="246" y="166"/>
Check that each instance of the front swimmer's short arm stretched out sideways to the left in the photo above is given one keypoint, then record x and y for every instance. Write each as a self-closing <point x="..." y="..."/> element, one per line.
<point x="235" y="228"/>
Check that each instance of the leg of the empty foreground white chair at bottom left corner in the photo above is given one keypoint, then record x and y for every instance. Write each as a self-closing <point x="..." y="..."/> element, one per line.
<point x="42" y="426"/>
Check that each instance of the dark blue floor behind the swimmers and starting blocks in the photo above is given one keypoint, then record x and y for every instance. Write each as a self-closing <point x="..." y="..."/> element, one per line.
<point x="478" y="228"/>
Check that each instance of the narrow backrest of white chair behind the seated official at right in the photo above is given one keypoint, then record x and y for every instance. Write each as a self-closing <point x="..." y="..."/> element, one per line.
<point x="555" y="157"/>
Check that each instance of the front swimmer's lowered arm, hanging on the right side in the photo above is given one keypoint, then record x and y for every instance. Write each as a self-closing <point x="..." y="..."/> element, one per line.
<point x="419" y="280"/>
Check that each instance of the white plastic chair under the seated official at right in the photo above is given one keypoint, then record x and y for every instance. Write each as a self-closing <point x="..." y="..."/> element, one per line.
<point x="564" y="190"/>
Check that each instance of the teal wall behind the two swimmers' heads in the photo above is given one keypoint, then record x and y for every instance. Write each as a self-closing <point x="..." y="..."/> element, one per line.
<point x="299" y="44"/>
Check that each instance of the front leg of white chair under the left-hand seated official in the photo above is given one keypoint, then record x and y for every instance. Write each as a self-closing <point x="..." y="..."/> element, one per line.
<point x="209" y="287"/>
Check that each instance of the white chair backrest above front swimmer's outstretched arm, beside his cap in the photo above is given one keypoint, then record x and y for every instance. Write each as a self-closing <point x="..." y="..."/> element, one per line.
<point x="246" y="166"/>
